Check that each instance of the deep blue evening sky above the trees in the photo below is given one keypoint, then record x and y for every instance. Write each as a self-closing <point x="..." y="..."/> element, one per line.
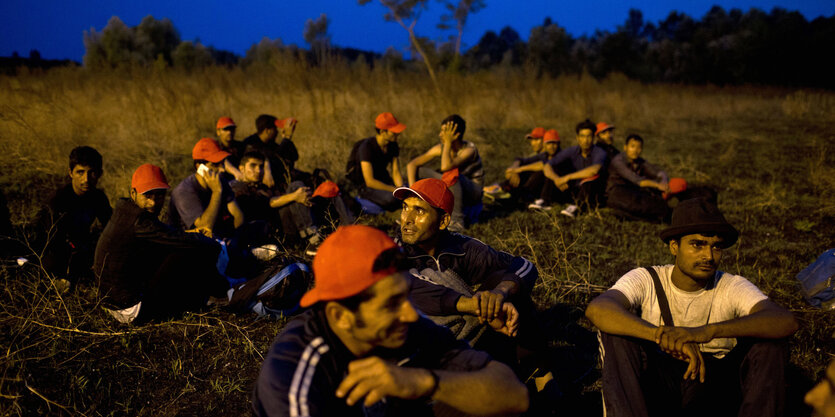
<point x="55" y="27"/>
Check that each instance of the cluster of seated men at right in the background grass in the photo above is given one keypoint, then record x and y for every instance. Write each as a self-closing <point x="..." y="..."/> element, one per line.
<point x="590" y="174"/>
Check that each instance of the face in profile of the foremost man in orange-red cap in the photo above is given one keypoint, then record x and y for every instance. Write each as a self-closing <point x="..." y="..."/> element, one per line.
<point x="383" y="321"/>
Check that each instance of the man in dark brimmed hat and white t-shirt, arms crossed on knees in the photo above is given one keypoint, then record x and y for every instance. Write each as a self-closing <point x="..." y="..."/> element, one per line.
<point x="686" y="338"/>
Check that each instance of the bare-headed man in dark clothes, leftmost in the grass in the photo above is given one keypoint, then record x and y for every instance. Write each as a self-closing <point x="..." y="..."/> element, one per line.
<point x="72" y="220"/>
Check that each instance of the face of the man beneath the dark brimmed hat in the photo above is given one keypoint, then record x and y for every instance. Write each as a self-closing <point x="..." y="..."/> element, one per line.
<point x="697" y="256"/>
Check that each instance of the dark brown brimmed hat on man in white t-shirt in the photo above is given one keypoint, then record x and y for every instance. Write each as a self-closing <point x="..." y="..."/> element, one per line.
<point x="699" y="216"/>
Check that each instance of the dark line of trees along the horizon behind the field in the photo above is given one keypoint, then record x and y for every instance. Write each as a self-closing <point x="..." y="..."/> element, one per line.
<point x="723" y="47"/>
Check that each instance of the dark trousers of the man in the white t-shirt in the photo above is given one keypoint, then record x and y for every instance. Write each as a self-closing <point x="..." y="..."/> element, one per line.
<point x="640" y="380"/>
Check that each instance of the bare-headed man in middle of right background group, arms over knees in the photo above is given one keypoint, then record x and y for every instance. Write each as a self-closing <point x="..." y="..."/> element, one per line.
<point x="581" y="187"/>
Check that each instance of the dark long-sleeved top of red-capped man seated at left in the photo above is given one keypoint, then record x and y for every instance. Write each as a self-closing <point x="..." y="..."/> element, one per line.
<point x="133" y="247"/>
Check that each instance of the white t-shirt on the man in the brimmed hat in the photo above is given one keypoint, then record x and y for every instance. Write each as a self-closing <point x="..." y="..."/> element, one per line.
<point x="728" y="297"/>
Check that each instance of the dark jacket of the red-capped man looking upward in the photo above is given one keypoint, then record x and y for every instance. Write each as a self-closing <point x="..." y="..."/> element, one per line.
<point x="477" y="264"/>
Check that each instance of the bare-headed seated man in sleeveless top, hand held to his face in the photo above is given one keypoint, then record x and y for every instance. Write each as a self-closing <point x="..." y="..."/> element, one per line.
<point x="454" y="153"/>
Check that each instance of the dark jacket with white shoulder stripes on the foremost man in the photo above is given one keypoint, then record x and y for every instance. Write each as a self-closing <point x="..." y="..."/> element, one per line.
<point x="307" y="362"/>
